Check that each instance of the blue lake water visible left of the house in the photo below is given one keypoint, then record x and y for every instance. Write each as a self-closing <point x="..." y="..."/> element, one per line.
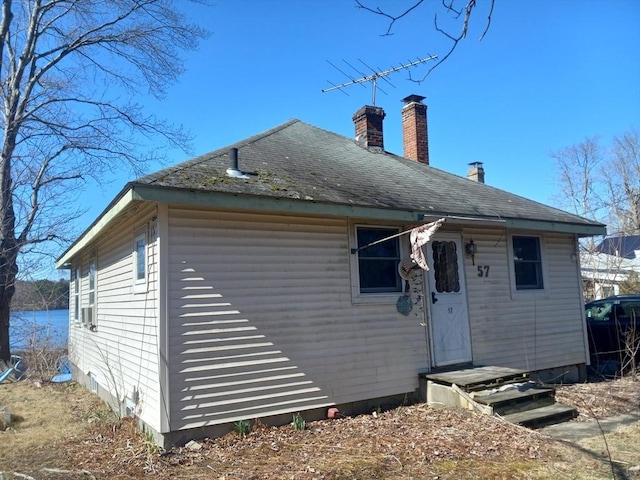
<point x="39" y="327"/>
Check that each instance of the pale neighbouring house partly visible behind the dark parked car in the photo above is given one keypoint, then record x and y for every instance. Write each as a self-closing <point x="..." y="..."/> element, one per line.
<point x="610" y="262"/>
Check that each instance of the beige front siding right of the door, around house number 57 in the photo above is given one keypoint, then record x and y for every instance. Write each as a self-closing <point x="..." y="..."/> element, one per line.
<point x="529" y="330"/>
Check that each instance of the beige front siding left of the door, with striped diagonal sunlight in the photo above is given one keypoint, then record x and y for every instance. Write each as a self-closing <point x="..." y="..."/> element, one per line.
<point x="261" y="320"/>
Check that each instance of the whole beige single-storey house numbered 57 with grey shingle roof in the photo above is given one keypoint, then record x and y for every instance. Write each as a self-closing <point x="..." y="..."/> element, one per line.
<point x="235" y="286"/>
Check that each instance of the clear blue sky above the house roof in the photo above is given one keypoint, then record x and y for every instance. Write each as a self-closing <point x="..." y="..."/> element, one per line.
<point x="547" y="74"/>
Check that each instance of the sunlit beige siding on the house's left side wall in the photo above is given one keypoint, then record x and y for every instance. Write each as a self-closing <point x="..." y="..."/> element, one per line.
<point x="122" y="354"/>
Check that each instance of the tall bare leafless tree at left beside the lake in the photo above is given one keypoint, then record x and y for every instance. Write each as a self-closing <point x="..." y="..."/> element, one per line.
<point x="69" y="73"/>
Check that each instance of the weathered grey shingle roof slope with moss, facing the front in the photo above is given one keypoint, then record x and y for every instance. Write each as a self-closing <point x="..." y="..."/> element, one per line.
<point x="296" y="160"/>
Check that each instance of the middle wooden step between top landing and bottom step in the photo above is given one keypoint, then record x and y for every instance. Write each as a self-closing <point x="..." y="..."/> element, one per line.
<point x="516" y="400"/>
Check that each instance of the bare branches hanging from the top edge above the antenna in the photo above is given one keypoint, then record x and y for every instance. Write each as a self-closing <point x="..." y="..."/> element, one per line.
<point x="459" y="11"/>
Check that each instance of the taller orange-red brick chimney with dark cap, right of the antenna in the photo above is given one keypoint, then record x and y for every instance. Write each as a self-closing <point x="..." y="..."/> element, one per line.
<point x="415" y="136"/>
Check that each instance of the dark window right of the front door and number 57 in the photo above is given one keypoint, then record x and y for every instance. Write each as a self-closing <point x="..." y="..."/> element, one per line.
<point x="527" y="262"/>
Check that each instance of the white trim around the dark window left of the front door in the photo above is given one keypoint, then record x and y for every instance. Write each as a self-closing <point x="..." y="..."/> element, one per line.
<point x="358" y="297"/>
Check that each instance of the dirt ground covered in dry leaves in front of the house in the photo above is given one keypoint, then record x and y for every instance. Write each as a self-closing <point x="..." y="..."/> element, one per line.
<point x="64" y="432"/>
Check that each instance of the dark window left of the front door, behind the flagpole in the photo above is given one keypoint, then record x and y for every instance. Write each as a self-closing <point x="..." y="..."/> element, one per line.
<point x="378" y="263"/>
